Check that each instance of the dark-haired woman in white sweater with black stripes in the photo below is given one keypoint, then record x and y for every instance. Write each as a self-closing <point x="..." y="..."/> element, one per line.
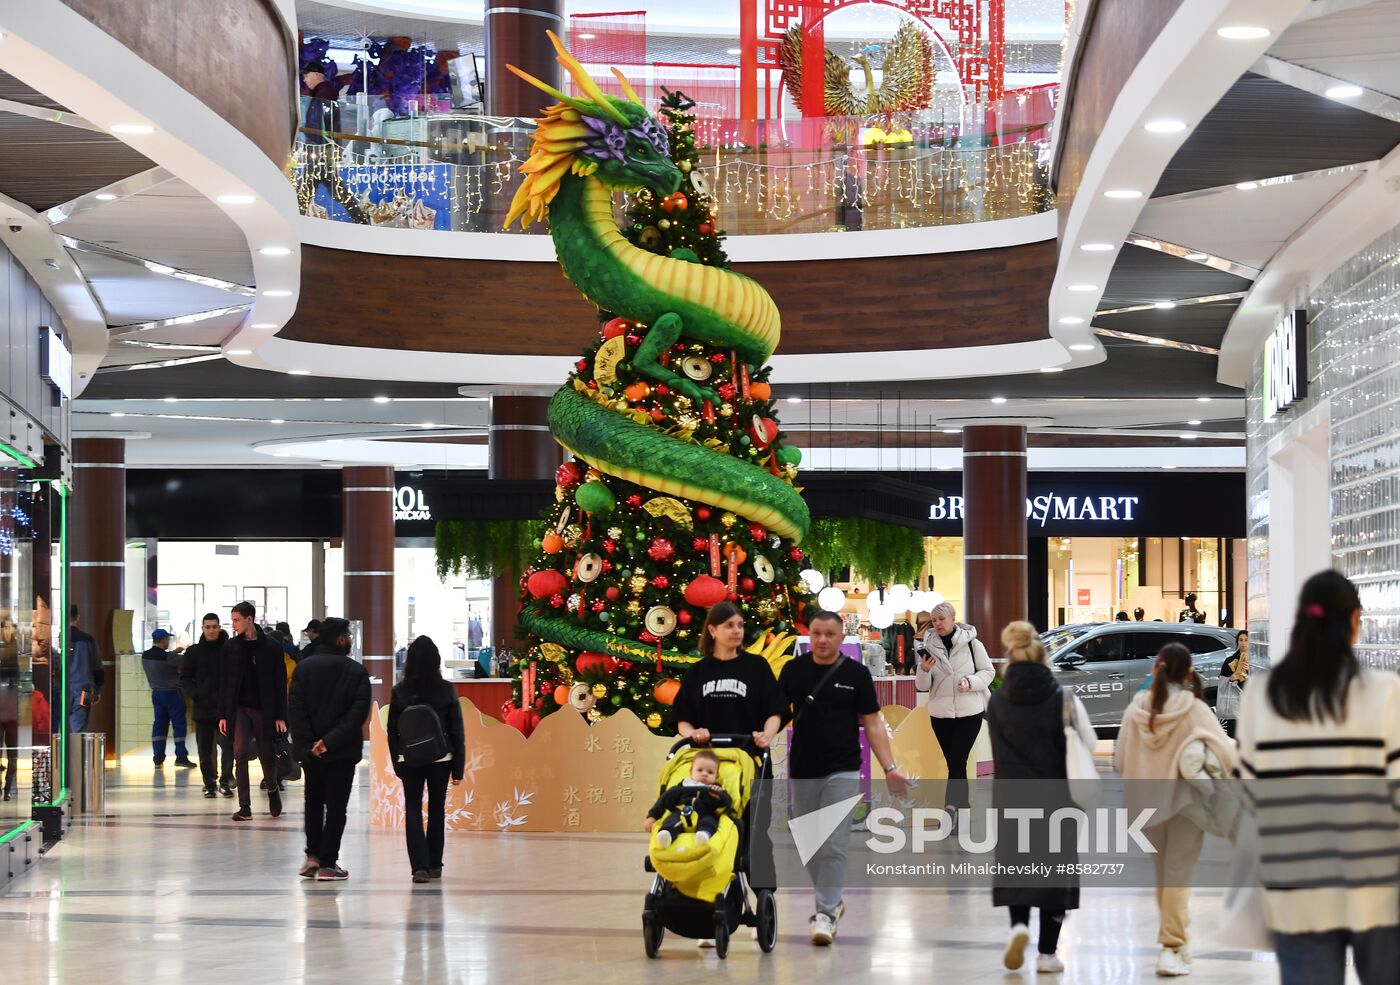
<point x="1319" y="745"/>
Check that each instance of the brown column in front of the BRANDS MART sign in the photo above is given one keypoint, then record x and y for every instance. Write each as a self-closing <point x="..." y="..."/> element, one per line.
<point x="995" y="530"/>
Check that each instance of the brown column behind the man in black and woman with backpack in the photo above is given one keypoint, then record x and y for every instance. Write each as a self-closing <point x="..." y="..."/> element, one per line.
<point x="367" y="537"/>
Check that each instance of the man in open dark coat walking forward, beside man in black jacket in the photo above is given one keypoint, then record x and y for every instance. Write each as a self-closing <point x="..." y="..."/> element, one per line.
<point x="254" y="704"/>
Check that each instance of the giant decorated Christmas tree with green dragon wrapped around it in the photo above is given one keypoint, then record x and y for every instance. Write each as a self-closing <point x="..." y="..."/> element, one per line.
<point x="680" y="492"/>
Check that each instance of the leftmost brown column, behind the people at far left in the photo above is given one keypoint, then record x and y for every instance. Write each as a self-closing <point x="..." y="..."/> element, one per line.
<point x="97" y="548"/>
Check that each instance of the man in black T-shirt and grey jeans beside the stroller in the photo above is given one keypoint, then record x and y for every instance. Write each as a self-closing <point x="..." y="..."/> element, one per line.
<point x="829" y="699"/>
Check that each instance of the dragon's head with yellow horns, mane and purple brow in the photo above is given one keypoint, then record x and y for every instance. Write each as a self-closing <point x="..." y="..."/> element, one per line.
<point x="615" y="141"/>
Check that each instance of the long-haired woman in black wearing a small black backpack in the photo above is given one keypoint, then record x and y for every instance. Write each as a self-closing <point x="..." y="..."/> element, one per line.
<point x="428" y="749"/>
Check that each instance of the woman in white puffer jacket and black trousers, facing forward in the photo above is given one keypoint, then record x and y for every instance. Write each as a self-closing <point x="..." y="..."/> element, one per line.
<point x="957" y="674"/>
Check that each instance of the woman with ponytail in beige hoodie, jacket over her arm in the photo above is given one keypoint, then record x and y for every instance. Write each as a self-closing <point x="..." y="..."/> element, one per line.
<point x="1171" y="741"/>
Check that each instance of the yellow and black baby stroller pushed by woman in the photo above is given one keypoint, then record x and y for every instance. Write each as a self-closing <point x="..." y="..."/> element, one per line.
<point x="702" y="891"/>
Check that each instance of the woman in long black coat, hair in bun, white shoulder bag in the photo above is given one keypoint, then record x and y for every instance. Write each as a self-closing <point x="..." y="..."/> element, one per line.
<point x="1025" y="721"/>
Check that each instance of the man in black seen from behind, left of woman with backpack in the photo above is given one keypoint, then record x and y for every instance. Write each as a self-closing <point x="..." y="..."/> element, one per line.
<point x="328" y="707"/>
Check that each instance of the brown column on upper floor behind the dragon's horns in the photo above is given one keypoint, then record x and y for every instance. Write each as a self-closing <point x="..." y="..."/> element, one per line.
<point x="516" y="36"/>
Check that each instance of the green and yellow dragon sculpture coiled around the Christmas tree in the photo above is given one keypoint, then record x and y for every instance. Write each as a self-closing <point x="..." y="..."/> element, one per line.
<point x="583" y="150"/>
